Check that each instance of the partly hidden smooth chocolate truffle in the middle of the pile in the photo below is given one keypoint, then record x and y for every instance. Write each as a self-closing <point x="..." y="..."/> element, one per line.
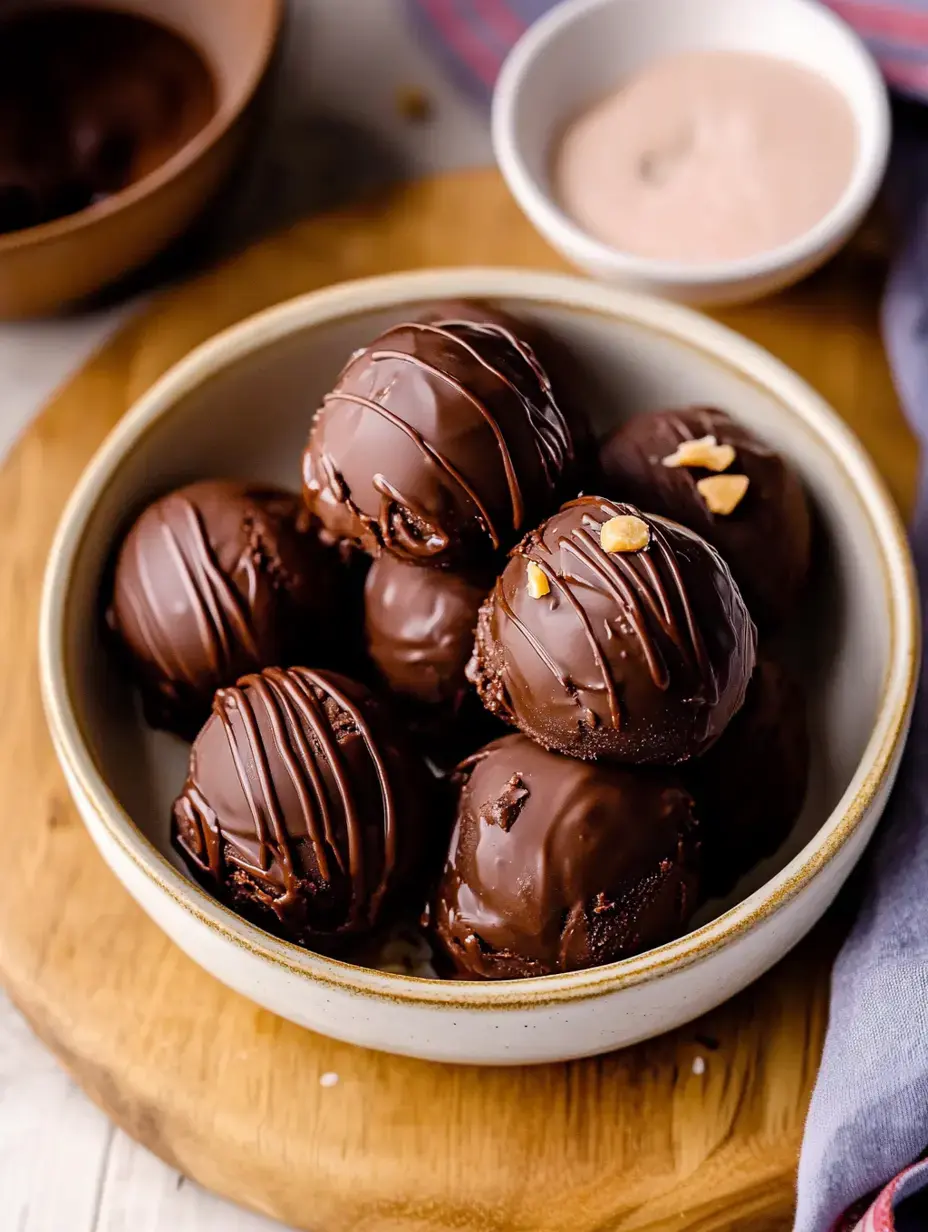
<point x="420" y="626"/>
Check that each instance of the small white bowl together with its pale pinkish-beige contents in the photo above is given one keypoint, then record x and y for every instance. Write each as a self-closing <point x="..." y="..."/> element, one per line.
<point x="707" y="151"/>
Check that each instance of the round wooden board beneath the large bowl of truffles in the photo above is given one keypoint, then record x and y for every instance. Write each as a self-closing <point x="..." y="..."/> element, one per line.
<point x="229" y="1093"/>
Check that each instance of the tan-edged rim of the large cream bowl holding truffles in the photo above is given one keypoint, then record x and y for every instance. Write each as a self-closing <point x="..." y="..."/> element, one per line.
<point x="687" y="328"/>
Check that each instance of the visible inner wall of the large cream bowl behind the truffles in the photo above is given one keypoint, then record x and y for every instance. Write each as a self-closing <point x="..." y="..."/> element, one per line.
<point x="251" y="419"/>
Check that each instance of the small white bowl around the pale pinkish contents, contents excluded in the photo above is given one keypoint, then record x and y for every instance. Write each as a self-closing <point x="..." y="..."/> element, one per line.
<point x="582" y="50"/>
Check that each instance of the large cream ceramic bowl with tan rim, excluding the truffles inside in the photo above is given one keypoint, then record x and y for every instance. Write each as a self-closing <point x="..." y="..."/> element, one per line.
<point x="242" y="406"/>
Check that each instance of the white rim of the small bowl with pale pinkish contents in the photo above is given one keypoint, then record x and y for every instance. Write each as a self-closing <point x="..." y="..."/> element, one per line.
<point x="542" y="208"/>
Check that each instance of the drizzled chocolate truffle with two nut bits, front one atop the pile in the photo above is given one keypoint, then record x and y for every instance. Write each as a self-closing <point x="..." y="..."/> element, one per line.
<point x="614" y="634"/>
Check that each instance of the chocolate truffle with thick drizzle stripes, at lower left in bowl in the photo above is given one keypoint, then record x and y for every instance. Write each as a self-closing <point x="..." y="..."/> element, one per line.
<point x="304" y="809"/>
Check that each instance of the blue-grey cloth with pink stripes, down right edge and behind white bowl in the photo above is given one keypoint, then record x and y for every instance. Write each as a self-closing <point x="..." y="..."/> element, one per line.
<point x="868" y="1124"/>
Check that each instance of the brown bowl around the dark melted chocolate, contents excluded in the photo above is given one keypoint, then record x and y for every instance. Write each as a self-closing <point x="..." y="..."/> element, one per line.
<point x="46" y="268"/>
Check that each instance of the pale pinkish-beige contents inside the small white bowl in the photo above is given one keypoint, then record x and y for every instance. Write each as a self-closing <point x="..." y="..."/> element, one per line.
<point x="708" y="157"/>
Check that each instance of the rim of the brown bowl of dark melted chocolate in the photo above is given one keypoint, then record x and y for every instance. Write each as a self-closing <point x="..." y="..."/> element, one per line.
<point x="190" y="153"/>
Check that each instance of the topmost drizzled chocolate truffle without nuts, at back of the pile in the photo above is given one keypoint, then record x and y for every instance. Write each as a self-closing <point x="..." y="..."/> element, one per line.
<point x="441" y="444"/>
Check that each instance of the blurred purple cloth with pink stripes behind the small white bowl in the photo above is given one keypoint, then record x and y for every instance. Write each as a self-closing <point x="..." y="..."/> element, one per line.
<point x="474" y="36"/>
